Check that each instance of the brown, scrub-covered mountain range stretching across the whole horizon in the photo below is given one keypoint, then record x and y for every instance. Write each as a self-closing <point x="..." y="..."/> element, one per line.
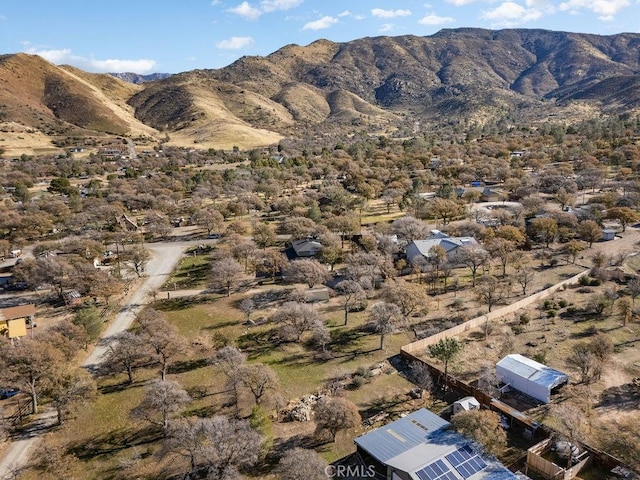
<point x="374" y="83"/>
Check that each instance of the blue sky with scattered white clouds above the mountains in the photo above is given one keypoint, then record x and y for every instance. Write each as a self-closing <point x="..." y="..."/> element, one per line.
<point x="145" y="36"/>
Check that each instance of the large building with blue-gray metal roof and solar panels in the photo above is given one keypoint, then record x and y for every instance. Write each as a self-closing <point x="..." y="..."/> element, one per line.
<point x="420" y="446"/>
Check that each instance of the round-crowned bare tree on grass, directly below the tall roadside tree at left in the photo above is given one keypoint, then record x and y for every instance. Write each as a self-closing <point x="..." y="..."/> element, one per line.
<point x="161" y="399"/>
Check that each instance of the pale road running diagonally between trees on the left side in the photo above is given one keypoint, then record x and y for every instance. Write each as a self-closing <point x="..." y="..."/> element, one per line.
<point x="165" y="257"/>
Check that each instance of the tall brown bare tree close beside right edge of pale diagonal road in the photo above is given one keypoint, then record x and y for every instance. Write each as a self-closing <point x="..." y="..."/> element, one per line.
<point x="162" y="338"/>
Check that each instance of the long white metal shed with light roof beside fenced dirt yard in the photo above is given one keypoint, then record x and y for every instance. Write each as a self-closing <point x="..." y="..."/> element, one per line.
<point x="530" y="377"/>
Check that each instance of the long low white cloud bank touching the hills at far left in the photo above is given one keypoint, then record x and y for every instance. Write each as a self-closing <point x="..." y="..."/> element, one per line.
<point x="115" y="65"/>
